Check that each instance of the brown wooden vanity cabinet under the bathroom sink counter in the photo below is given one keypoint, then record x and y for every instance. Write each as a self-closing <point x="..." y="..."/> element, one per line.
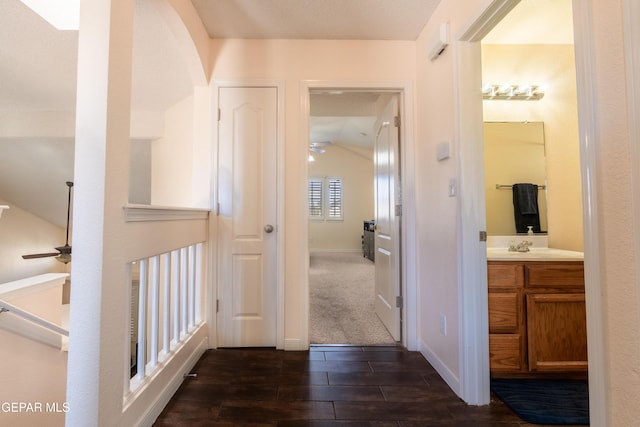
<point x="537" y="317"/>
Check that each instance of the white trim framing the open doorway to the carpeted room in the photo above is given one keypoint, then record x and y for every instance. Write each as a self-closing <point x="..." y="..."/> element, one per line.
<point x="409" y="256"/>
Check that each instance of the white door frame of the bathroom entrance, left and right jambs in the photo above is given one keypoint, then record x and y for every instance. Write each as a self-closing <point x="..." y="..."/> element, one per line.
<point x="475" y="387"/>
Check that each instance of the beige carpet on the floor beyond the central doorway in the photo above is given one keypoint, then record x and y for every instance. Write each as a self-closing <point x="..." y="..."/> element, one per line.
<point x="342" y="300"/>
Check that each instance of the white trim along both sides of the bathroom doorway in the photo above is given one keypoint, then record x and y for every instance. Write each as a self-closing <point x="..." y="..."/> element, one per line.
<point x="474" y="375"/>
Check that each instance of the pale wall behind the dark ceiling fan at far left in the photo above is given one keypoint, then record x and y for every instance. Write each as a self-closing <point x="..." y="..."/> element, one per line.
<point x="23" y="233"/>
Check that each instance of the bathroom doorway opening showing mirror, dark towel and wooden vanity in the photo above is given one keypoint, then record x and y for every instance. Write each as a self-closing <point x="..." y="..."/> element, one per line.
<point x="532" y="137"/>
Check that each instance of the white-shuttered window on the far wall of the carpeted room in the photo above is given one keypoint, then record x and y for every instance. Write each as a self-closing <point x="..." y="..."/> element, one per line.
<point x="325" y="199"/>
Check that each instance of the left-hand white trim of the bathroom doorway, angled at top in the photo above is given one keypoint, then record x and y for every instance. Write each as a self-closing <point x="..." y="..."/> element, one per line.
<point x="473" y="306"/>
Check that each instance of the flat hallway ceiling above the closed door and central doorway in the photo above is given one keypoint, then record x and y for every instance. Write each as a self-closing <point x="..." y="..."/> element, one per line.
<point x="314" y="19"/>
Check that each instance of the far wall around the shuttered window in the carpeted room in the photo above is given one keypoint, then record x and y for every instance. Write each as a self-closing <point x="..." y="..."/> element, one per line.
<point x="355" y="167"/>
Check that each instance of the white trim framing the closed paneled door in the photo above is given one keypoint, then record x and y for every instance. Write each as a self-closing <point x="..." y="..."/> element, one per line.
<point x="280" y="235"/>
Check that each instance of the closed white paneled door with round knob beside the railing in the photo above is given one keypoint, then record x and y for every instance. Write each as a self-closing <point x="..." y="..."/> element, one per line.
<point x="247" y="176"/>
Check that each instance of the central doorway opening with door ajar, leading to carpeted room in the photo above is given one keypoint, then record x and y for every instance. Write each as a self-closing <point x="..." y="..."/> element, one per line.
<point x="345" y="191"/>
